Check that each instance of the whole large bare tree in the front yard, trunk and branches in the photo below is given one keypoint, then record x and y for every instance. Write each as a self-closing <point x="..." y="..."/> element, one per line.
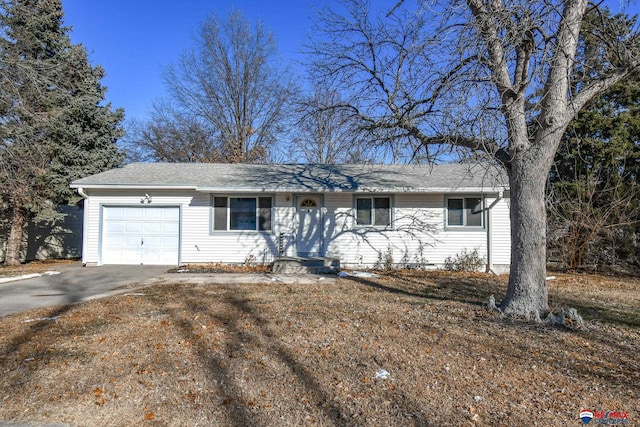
<point x="446" y="74"/>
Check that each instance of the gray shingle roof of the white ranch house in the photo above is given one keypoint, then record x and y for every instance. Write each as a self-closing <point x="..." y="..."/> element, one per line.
<point x="299" y="178"/>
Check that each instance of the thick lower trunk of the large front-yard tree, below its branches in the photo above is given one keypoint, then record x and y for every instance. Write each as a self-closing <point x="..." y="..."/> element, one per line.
<point x="527" y="290"/>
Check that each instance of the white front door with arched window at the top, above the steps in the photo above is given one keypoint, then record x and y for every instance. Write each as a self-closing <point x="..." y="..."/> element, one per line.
<point x="309" y="236"/>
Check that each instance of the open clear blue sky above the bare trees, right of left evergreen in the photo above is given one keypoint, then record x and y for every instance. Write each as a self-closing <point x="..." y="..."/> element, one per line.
<point x="135" y="40"/>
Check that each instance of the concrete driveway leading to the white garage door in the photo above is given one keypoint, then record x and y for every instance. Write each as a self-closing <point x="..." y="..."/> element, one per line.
<point x="74" y="284"/>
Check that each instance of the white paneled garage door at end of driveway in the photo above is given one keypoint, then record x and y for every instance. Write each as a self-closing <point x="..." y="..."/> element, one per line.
<point x="140" y="235"/>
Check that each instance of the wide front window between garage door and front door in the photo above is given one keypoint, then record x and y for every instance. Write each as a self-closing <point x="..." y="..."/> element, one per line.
<point x="242" y="213"/>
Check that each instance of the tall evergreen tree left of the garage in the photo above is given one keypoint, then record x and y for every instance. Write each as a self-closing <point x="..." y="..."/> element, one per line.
<point x="54" y="126"/>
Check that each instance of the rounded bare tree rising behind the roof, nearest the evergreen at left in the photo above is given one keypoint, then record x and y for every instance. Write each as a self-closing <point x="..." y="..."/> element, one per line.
<point x="227" y="93"/>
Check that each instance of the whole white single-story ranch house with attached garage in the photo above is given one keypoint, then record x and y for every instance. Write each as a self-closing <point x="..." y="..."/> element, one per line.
<point x="411" y="215"/>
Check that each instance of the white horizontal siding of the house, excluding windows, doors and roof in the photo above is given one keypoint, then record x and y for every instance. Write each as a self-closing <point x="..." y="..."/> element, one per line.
<point x="418" y="236"/>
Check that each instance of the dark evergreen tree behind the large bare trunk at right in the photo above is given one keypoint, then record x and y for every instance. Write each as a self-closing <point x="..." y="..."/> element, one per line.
<point x="593" y="192"/>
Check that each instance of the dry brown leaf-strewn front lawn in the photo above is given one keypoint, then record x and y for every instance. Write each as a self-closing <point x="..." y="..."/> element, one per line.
<point x="308" y="355"/>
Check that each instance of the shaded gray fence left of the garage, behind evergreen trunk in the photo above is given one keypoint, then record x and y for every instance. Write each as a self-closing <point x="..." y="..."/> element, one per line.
<point x="56" y="240"/>
